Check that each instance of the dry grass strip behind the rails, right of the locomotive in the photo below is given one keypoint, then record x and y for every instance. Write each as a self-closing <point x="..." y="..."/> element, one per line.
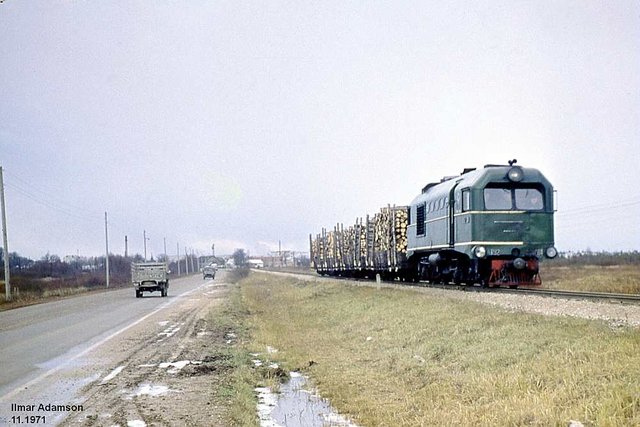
<point x="617" y="279"/>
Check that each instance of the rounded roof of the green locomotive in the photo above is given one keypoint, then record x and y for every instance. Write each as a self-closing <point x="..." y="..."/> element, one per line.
<point x="478" y="178"/>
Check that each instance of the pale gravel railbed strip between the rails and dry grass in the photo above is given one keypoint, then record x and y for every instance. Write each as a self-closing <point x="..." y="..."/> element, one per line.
<point x="616" y="314"/>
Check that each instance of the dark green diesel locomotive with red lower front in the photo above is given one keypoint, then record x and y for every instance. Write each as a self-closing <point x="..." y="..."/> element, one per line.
<point x="489" y="226"/>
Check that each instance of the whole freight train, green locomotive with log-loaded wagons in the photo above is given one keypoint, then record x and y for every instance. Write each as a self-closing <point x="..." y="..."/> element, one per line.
<point x="490" y="226"/>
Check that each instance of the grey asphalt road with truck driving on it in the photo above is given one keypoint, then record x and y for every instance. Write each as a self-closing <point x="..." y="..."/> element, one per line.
<point x="39" y="339"/>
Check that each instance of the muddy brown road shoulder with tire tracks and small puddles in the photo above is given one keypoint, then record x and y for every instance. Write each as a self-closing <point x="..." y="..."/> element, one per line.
<point x="156" y="374"/>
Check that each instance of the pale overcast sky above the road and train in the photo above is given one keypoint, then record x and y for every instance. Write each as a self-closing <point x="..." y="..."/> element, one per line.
<point x="248" y="123"/>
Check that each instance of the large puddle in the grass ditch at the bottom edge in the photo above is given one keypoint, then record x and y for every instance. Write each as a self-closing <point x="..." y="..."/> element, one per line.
<point x="296" y="407"/>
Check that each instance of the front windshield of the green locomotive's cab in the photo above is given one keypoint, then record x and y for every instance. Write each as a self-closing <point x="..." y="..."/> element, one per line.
<point x="502" y="198"/>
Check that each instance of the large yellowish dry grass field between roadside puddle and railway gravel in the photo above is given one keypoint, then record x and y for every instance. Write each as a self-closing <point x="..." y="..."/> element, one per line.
<point x="397" y="357"/>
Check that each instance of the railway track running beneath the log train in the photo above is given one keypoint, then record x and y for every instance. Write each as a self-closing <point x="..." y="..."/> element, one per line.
<point x="551" y="293"/>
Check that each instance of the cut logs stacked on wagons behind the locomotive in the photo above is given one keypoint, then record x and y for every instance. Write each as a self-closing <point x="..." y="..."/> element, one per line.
<point x="378" y="240"/>
